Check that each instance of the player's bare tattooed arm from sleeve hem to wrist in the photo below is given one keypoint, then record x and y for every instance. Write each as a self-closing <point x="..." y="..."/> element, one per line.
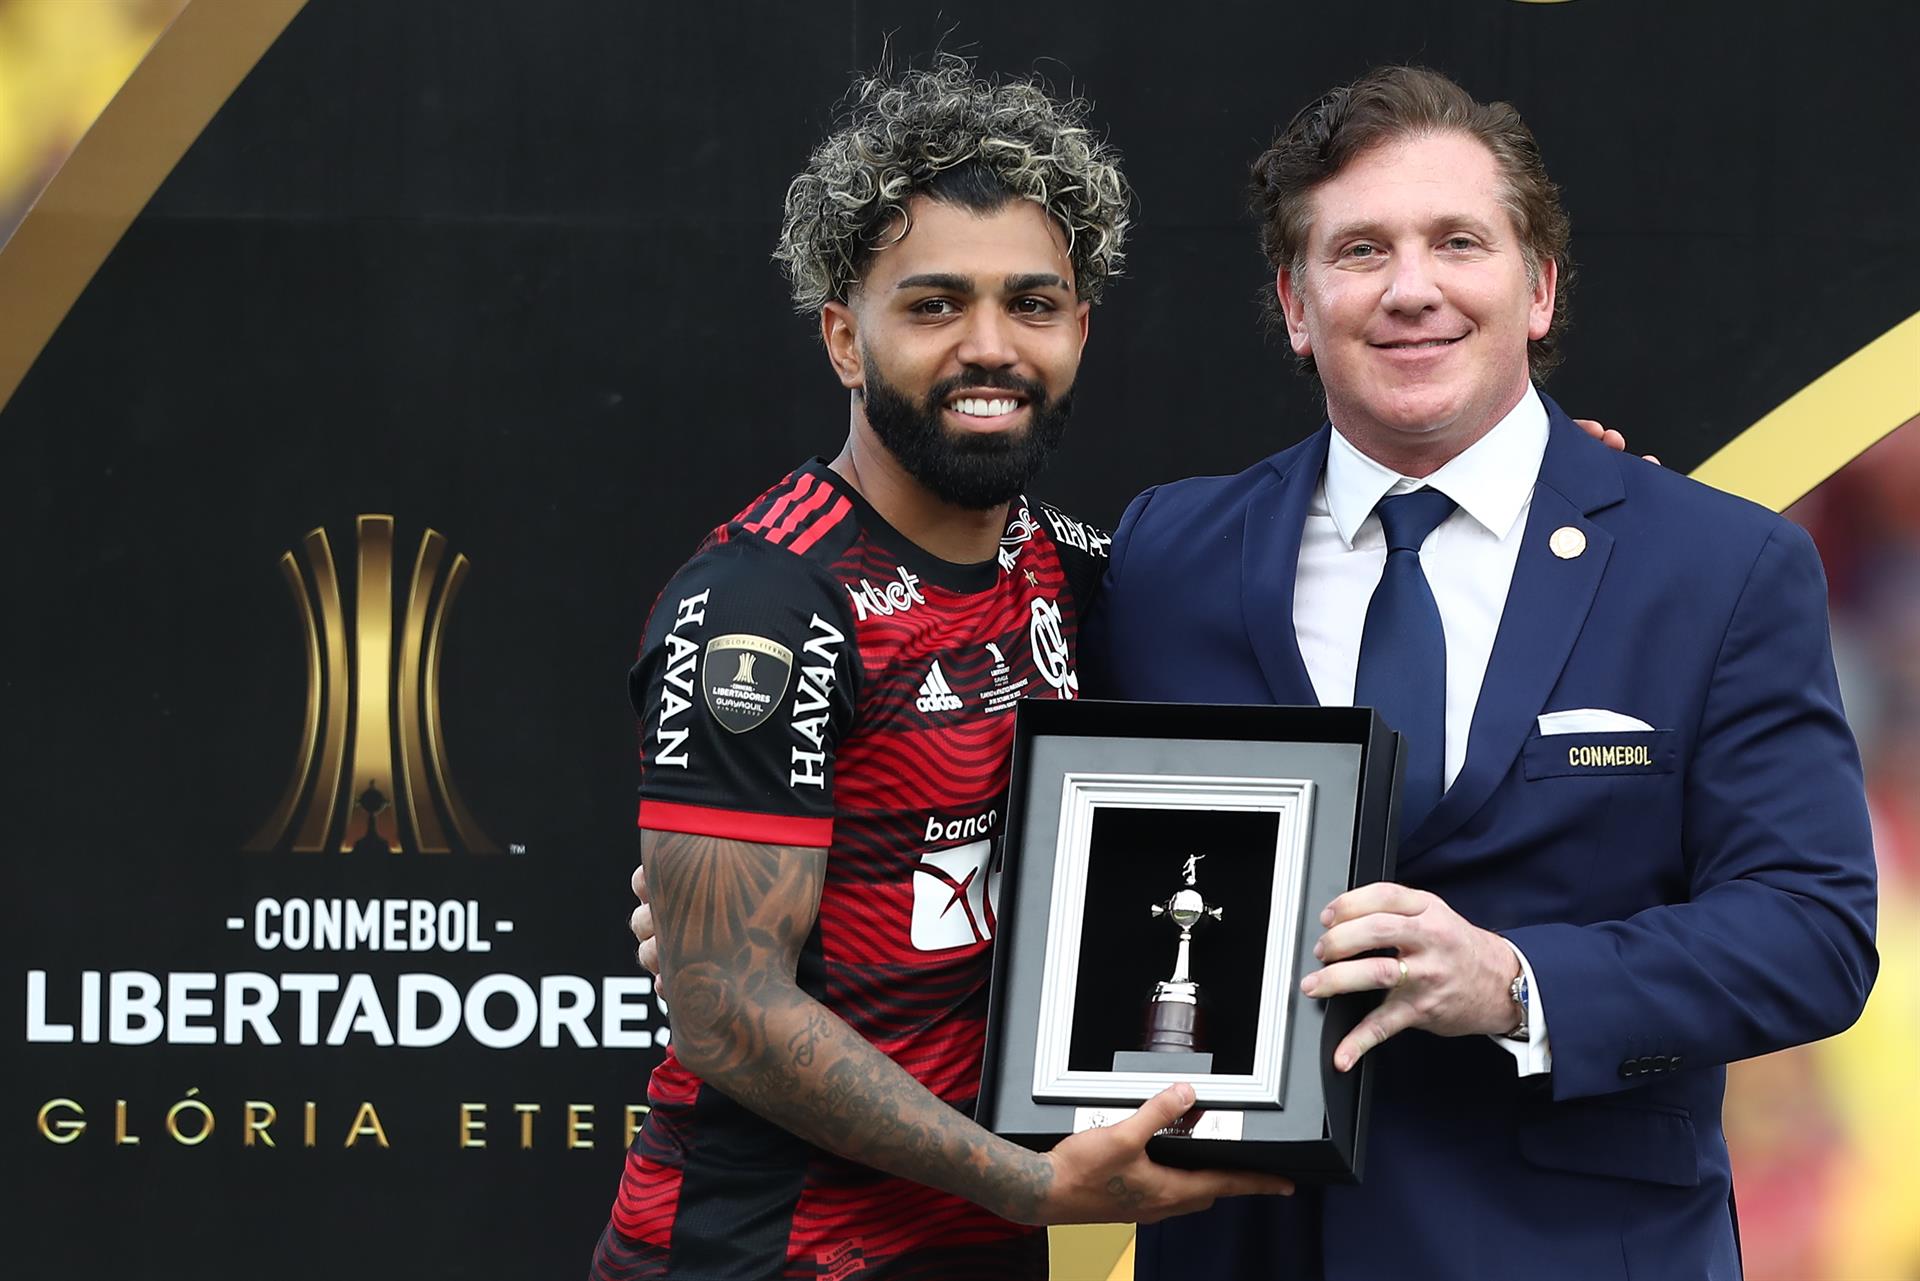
<point x="732" y="919"/>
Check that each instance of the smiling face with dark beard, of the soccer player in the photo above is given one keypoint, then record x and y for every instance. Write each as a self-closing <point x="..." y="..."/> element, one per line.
<point x="963" y="343"/>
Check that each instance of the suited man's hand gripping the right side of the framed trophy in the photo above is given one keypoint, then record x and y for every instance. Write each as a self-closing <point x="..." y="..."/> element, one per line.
<point x="1449" y="977"/>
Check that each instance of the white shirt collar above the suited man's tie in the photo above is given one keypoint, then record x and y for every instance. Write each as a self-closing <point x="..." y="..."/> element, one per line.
<point x="1493" y="479"/>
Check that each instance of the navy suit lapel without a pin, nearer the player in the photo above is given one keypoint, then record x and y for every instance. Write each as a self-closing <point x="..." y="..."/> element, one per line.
<point x="1270" y="558"/>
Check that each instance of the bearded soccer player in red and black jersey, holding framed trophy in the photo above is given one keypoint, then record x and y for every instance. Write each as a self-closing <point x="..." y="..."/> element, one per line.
<point x="827" y="696"/>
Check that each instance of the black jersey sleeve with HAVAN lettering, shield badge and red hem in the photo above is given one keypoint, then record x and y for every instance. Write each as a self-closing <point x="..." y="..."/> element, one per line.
<point x="744" y="689"/>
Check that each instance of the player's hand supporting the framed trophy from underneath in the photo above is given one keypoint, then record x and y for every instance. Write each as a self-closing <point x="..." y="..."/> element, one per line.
<point x="1105" y="1176"/>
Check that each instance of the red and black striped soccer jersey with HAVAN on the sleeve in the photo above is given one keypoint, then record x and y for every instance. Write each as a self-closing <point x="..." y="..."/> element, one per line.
<point x="815" y="679"/>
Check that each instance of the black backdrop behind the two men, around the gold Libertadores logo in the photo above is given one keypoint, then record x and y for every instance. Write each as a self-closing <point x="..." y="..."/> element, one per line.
<point x="500" y="270"/>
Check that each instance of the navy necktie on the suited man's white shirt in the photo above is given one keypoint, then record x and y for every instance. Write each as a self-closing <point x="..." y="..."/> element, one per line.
<point x="1403" y="650"/>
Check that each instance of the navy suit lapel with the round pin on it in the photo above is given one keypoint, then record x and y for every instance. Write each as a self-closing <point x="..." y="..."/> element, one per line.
<point x="1547" y="608"/>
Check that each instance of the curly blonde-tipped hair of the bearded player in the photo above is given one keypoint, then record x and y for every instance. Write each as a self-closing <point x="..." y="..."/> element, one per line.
<point x="953" y="137"/>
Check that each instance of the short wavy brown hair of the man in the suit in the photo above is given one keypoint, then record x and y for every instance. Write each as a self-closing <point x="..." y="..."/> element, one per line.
<point x="1389" y="105"/>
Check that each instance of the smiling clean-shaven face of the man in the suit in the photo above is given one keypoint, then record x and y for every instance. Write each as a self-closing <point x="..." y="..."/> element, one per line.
<point x="1414" y="301"/>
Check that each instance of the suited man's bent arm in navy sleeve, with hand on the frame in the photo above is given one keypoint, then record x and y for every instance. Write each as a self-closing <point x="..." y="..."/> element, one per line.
<point x="1773" y="944"/>
